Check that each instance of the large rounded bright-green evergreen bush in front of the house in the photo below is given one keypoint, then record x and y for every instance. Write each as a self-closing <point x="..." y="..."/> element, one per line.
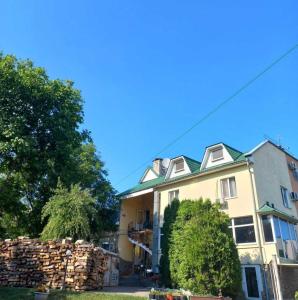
<point x="203" y="256"/>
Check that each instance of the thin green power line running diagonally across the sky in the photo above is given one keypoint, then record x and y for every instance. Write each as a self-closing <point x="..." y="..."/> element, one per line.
<point x="215" y="109"/>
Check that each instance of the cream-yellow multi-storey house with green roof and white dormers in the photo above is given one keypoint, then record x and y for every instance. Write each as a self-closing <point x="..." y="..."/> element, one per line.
<point x="256" y="189"/>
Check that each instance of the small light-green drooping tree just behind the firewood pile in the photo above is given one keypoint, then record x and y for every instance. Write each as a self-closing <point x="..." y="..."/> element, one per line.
<point x="69" y="213"/>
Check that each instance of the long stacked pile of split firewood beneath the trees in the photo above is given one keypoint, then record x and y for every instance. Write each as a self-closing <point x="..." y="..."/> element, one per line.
<point x="30" y="262"/>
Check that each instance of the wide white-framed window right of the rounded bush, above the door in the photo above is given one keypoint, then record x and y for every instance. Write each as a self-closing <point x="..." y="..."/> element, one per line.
<point x="243" y="230"/>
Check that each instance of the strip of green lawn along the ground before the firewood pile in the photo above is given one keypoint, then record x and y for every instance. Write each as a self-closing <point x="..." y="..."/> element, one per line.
<point x="28" y="294"/>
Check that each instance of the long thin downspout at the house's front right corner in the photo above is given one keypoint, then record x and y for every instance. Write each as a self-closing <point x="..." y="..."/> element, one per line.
<point x="248" y="163"/>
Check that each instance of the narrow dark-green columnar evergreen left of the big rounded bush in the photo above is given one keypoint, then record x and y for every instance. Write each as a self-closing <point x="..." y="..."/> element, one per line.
<point x="170" y="214"/>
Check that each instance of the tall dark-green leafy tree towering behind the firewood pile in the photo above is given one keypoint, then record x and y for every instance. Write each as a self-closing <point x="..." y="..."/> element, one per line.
<point x="41" y="141"/>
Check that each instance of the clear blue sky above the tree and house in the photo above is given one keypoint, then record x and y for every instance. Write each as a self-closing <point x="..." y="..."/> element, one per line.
<point x="148" y="70"/>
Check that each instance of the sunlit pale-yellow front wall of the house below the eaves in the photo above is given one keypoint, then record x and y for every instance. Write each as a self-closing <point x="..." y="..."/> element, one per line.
<point x="208" y="186"/>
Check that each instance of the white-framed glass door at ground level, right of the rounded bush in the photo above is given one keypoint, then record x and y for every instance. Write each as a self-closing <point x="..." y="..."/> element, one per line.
<point x="251" y="281"/>
